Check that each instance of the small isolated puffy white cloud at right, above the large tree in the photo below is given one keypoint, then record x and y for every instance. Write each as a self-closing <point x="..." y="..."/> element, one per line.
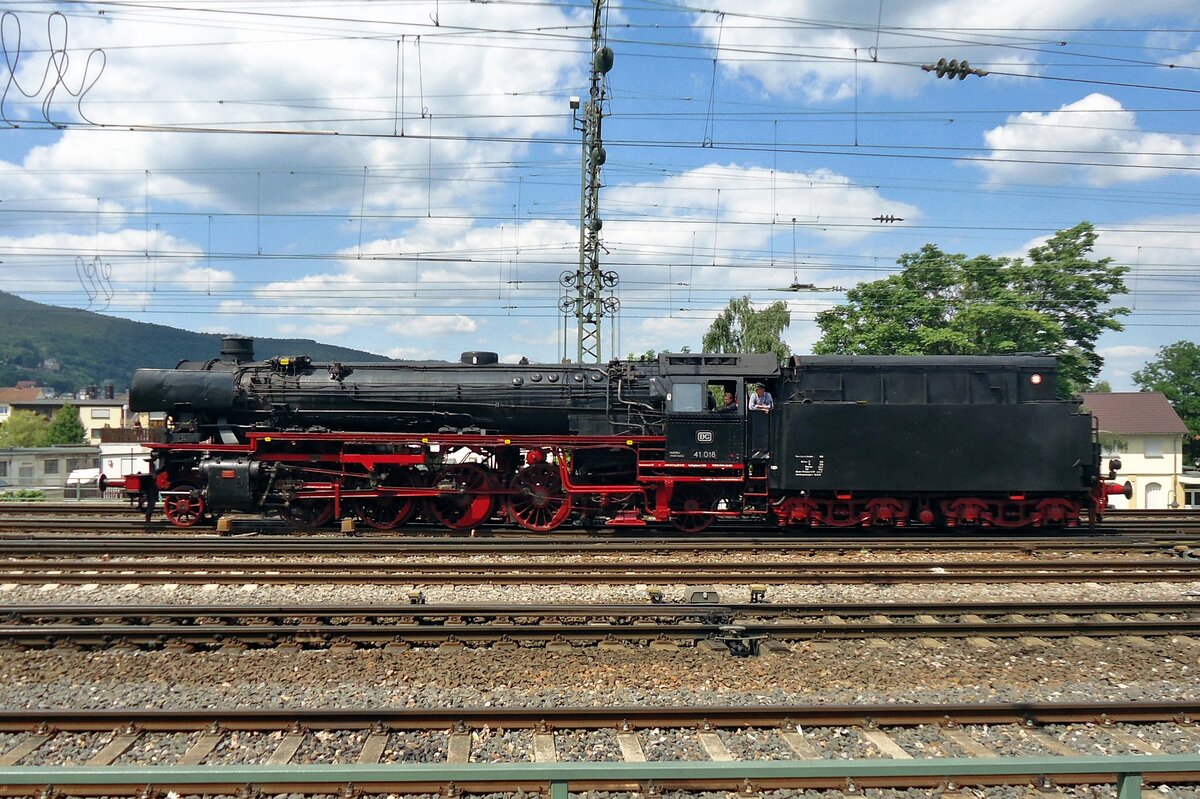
<point x="1094" y="141"/>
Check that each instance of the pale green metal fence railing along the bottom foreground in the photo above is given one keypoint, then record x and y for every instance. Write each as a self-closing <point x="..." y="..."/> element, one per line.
<point x="1126" y="772"/>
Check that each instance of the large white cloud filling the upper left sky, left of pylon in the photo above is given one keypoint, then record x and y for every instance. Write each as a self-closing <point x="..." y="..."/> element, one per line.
<point x="208" y="71"/>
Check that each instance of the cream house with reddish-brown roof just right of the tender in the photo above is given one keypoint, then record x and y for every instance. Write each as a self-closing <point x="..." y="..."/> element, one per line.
<point x="1143" y="431"/>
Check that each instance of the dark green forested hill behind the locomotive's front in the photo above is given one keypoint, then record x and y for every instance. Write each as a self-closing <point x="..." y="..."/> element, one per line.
<point x="91" y="349"/>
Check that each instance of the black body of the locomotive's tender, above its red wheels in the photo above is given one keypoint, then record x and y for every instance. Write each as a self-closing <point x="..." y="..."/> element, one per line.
<point x="967" y="425"/>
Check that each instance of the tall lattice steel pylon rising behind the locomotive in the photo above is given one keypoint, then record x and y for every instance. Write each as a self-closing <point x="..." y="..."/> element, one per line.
<point x="590" y="305"/>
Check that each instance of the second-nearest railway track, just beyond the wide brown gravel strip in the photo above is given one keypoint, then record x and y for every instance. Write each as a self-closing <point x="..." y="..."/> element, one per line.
<point x="736" y="628"/>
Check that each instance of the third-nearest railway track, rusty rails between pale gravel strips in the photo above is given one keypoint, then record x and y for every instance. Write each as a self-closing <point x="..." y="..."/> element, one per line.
<point x="611" y="573"/>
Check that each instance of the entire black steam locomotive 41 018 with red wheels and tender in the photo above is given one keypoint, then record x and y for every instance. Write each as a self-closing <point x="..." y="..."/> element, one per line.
<point x="853" y="441"/>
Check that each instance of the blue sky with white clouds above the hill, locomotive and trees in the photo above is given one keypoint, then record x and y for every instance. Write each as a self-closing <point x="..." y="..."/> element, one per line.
<point x="405" y="177"/>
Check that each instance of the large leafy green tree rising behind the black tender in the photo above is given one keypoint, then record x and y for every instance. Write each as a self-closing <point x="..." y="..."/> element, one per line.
<point x="944" y="304"/>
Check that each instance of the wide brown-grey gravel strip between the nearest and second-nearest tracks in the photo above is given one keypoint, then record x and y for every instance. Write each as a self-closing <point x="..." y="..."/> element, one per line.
<point x="844" y="672"/>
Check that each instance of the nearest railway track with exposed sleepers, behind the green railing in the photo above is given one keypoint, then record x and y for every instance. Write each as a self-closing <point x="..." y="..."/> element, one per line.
<point x="926" y="743"/>
